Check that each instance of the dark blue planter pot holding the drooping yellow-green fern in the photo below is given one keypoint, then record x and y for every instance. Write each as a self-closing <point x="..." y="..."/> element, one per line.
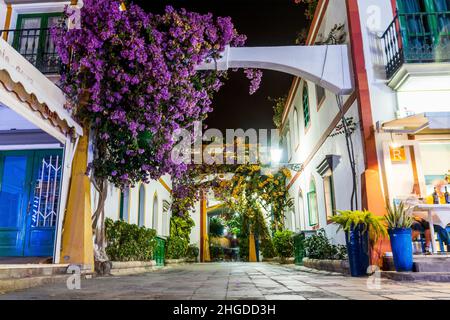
<point x="358" y="250"/>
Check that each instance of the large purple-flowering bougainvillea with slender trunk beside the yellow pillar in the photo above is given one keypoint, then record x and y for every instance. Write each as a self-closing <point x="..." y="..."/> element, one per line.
<point x="132" y="81"/>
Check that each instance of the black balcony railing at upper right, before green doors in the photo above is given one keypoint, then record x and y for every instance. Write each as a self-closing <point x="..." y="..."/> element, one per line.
<point x="420" y="37"/>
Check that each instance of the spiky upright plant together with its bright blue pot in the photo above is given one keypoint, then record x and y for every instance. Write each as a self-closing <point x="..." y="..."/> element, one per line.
<point x="399" y="228"/>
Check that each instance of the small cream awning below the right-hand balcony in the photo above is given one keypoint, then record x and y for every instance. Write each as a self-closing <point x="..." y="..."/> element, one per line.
<point x="416" y="123"/>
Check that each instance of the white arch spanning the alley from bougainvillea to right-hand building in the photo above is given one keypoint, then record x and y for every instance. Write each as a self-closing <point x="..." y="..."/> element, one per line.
<point x="327" y="66"/>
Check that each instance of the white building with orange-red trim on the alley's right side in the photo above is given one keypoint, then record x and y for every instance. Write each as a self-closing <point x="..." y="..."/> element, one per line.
<point x="401" y="105"/>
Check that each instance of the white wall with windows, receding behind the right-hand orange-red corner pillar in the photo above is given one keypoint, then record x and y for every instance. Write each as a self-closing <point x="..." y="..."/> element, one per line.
<point x="309" y="139"/>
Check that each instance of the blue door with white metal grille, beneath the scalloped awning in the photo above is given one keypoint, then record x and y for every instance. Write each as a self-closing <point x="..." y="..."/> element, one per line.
<point x="29" y="199"/>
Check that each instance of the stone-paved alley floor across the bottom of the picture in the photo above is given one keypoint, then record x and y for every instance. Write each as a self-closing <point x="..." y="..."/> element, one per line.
<point x="248" y="281"/>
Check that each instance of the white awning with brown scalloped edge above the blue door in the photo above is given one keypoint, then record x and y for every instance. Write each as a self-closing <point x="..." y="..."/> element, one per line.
<point x="31" y="87"/>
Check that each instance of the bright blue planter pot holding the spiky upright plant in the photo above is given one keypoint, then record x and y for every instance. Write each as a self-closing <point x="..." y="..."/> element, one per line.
<point x="401" y="244"/>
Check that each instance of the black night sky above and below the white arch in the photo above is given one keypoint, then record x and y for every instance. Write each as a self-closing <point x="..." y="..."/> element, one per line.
<point x="266" y="23"/>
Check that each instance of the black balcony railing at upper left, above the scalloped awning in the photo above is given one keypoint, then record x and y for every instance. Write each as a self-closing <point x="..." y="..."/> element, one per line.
<point x="35" y="45"/>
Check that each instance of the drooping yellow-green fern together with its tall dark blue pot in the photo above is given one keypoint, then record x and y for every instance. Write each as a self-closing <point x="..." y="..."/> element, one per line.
<point x="359" y="227"/>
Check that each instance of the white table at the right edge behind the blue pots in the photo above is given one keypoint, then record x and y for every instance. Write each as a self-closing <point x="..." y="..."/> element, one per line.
<point x="435" y="214"/>
